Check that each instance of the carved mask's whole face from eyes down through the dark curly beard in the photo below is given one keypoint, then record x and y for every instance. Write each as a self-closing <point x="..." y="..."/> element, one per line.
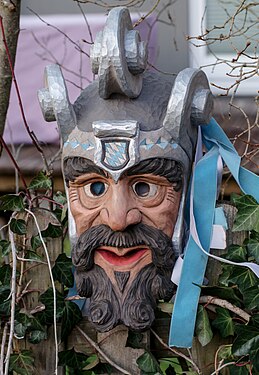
<point x="124" y="230"/>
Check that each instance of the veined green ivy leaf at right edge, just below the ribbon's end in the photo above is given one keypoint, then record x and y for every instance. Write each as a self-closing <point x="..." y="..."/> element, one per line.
<point x="247" y="217"/>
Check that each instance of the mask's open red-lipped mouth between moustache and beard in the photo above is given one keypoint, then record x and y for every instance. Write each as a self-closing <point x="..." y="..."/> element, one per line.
<point x="128" y="257"/>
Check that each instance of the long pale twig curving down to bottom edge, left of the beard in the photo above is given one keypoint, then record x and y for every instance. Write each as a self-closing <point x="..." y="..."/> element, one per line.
<point x="53" y="287"/>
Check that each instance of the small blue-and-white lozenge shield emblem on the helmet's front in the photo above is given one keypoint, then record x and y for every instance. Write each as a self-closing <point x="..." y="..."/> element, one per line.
<point x="115" y="154"/>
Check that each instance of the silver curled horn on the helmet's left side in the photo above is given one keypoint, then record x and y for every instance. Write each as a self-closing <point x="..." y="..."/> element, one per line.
<point x="54" y="101"/>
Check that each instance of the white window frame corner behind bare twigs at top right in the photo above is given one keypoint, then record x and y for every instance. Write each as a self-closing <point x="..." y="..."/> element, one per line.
<point x="198" y="56"/>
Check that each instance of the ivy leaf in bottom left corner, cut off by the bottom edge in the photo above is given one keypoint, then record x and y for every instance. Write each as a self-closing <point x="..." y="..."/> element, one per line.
<point x="22" y="363"/>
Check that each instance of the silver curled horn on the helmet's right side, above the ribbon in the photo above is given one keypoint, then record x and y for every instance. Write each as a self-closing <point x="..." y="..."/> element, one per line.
<point x="190" y="105"/>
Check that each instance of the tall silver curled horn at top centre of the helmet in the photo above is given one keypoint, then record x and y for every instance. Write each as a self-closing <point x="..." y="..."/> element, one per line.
<point x="118" y="56"/>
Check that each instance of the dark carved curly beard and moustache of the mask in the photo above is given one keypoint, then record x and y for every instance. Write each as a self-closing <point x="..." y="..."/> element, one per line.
<point x="134" y="306"/>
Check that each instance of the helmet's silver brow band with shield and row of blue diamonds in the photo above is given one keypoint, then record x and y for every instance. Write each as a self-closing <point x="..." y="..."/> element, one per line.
<point x="116" y="146"/>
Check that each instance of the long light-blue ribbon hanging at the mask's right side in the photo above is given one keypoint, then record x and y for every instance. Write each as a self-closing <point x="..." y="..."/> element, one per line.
<point x="204" y="200"/>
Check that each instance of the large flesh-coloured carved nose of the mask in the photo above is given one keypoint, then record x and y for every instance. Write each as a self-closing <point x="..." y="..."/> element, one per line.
<point x="120" y="210"/>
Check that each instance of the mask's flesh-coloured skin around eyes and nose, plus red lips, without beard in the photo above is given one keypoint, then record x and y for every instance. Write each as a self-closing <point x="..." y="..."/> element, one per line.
<point x="147" y="199"/>
